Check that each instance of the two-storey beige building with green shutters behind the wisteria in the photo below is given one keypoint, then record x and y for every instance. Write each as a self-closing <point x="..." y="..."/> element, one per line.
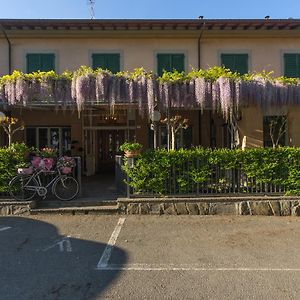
<point x="157" y="45"/>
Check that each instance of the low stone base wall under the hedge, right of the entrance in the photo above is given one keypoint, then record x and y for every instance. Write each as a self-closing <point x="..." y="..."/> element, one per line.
<point x="270" y="206"/>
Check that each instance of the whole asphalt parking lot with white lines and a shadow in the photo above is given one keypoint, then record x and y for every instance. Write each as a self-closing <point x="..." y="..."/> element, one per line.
<point x="143" y="257"/>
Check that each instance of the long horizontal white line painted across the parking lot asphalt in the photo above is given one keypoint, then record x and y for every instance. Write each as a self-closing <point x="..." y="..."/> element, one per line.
<point x="172" y="267"/>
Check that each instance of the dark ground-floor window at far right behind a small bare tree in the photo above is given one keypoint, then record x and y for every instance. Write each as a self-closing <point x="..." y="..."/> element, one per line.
<point x="275" y="131"/>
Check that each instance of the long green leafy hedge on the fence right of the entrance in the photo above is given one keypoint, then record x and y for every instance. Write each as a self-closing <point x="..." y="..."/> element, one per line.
<point x="268" y="166"/>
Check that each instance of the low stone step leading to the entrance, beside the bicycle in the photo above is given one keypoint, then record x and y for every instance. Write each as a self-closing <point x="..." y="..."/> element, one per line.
<point x="75" y="203"/>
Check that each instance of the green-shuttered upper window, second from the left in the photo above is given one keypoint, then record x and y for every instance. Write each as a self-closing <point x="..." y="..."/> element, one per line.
<point x="106" y="61"/>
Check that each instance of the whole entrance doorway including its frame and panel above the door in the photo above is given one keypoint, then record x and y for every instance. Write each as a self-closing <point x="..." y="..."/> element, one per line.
<point x="103" y="133"/>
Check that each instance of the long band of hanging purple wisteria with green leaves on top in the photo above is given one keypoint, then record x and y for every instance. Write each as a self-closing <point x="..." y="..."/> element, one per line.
<point x="216" y="88"/>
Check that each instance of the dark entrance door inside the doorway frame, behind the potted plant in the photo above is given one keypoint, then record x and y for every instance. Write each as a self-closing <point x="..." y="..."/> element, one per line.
<point x="108" y="142"/>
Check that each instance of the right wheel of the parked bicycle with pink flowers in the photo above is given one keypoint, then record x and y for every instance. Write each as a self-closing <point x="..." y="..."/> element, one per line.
<point x="66" y="188"/>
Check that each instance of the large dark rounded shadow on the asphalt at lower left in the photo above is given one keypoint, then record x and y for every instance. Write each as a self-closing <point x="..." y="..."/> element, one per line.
<point x="38" y="263"/>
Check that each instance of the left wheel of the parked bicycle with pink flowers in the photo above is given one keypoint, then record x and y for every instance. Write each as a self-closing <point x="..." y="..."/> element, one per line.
<point x="22" y="187"/>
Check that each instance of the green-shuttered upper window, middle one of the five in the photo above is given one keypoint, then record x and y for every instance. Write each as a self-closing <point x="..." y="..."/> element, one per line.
<point x="169" y="63"/>
